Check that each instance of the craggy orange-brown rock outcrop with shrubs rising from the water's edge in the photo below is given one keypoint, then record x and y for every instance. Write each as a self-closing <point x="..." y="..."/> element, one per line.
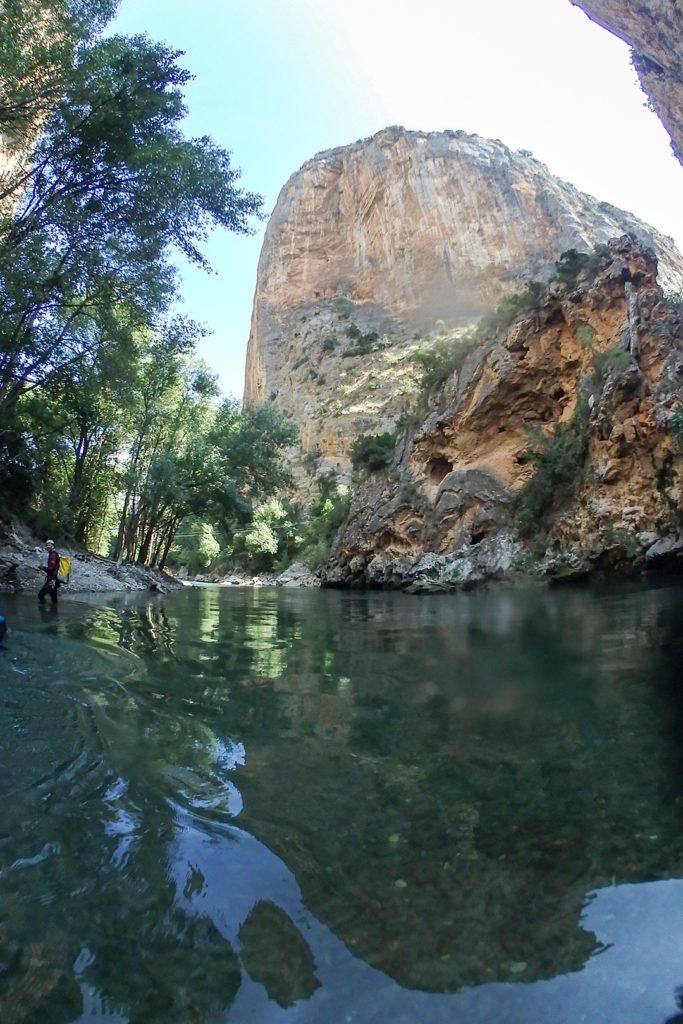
<point x="590" y="380"/>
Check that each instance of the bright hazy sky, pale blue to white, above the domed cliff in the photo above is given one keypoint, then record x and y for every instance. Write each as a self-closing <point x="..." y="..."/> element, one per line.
<point x="278" y="81"/>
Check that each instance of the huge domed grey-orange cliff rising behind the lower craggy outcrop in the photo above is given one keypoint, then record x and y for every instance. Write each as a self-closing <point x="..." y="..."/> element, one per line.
<point x="375" y="248"/>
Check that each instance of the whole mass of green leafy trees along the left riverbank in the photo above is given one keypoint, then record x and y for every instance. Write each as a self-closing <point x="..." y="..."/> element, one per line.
<point x="111" y="433"/>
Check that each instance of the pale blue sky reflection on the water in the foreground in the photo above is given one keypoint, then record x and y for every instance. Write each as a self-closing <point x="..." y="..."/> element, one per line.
<point x="633" y="978"/>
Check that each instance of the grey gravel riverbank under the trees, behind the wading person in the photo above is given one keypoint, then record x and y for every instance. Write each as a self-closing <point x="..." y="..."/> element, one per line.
<point x="21" y="554"/>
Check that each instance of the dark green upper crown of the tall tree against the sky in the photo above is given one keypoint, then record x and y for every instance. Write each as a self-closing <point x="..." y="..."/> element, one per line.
<point x="112" y="189"/>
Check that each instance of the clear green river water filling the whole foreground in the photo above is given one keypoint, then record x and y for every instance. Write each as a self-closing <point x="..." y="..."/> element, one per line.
<point x="275" y="806"/>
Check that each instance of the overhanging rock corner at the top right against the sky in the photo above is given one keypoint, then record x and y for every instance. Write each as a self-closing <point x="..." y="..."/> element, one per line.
<point x="655" y="30"/>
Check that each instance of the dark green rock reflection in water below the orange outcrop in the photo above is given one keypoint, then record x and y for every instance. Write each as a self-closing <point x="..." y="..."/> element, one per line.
<point x="449" y="817"/>
